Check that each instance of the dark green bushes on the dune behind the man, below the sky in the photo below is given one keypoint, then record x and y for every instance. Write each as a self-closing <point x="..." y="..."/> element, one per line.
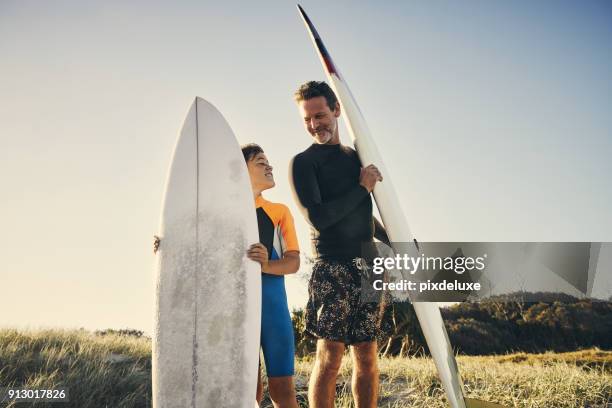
<point x="528" y="322"/>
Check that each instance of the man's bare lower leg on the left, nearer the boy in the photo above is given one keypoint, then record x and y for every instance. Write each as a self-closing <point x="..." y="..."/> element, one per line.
<point x="322" y="385"/>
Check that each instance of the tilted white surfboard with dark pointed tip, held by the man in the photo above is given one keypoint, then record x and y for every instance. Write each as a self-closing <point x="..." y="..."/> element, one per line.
<point x="395" y="224"/>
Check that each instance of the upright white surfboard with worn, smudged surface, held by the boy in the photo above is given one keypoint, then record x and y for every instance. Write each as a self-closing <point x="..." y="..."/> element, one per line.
<point x="208" y="294"/>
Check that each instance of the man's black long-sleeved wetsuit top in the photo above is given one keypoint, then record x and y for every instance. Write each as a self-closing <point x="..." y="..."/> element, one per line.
<point x="325" y="180"/>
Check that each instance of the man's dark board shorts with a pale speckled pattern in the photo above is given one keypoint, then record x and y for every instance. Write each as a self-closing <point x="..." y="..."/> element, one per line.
<point x="336" y="310"/>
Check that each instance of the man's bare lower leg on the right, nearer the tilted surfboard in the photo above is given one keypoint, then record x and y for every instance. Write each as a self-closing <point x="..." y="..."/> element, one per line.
<point x="365" y="374"/>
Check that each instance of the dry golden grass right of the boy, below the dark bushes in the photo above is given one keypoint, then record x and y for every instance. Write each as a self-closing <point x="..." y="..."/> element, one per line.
<point x="552" y="380"/>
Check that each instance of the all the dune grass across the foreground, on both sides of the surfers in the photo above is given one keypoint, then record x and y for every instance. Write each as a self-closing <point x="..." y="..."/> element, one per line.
<point x="115" y="371"/>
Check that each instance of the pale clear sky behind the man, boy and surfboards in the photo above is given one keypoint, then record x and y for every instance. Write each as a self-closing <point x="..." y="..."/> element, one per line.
<point x="493" y="117"/>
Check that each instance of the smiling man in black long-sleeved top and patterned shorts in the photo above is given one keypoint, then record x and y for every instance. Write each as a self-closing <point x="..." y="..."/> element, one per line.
<point x="333" y="192"/>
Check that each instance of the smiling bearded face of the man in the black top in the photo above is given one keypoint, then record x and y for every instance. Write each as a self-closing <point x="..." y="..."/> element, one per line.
<point x="320" y="121"/>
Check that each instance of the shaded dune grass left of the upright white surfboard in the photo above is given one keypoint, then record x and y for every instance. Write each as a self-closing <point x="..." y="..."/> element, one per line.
<point x="99" y="371"/>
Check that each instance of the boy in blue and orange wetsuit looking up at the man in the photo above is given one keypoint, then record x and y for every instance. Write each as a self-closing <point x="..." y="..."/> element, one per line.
<point x="278" y="254"/>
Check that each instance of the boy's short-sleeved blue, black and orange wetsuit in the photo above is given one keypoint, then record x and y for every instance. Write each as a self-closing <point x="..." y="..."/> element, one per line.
<point x="277" y="233"/>
